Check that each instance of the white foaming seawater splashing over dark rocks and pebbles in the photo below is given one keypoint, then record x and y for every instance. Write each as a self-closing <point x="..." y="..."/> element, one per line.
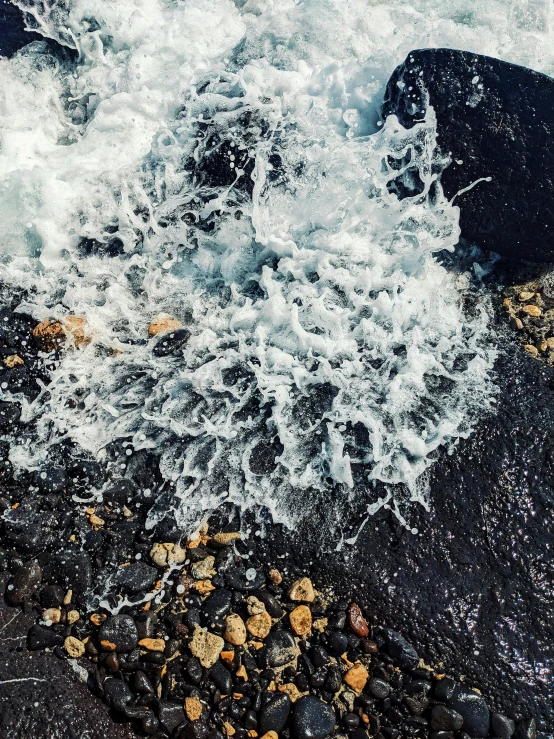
<point x="225" y="163"/>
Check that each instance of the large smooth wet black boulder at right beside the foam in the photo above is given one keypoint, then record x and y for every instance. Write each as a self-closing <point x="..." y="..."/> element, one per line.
<point x="495" y="120"/>
